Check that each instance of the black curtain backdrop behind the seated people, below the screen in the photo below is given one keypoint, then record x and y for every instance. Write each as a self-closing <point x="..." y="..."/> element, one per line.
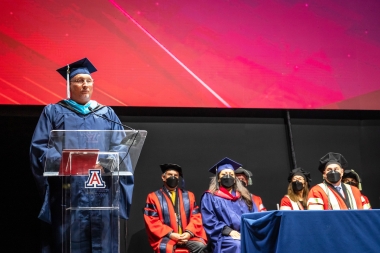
<point x="196" y="139"/>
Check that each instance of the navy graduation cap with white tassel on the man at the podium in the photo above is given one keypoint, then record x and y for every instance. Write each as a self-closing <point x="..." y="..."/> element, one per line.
<point x="83" y="66"/>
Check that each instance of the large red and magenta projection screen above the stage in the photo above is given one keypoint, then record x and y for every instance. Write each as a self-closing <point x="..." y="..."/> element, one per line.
<point x="321" y="54"/>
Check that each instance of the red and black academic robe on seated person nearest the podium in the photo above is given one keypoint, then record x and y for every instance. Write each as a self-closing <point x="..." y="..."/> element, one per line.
<point x="160" y="219"/>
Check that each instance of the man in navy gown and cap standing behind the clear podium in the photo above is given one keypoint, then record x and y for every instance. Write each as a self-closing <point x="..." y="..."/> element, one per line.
<point x="77" y="112"/>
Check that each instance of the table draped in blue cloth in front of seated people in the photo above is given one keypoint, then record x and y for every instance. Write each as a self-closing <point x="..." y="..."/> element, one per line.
<point x="311" y="231"/>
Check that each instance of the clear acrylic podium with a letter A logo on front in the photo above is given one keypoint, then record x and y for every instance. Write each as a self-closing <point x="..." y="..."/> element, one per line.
<point x="86" y="169"/>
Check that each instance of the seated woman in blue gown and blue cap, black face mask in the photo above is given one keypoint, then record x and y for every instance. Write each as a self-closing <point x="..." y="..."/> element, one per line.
<point x="222" y="206"/>
